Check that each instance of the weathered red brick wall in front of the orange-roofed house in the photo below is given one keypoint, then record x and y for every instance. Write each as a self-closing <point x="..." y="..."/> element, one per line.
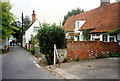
<point x="89" y="49"/>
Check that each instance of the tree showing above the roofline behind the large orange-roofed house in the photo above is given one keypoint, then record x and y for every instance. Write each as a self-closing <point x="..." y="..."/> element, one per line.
<point x="70" y="13"/>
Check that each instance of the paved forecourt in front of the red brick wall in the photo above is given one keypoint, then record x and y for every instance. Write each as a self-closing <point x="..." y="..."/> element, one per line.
<point x="106" y="68"/>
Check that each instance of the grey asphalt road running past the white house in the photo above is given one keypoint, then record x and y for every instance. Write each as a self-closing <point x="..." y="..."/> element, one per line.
<point x="19" y="64"/>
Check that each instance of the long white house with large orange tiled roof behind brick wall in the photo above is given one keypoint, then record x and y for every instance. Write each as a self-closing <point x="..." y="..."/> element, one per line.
<point x="99" y="21"/>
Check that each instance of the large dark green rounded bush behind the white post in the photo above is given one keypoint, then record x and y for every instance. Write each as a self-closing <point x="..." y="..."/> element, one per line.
<point x="49" y="35"/>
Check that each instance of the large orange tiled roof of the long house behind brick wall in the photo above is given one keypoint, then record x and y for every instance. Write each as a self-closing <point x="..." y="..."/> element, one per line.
<point x="102" y="19"/>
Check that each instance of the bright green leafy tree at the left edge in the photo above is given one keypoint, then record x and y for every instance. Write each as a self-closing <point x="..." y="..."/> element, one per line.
<point x="7" y="19"/>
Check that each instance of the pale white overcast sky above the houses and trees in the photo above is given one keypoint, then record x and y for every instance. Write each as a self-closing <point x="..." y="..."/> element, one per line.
<point x="51" y="11"/>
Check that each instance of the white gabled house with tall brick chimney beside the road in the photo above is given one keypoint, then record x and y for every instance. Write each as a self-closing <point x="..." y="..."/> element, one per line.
<point x="31" y="30"/>
